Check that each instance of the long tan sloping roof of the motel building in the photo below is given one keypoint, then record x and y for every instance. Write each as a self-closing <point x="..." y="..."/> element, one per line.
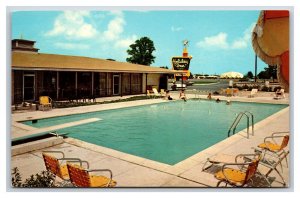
<point x="56" y="62"/>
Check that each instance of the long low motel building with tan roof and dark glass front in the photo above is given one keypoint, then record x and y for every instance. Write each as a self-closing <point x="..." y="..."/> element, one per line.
<point x="65" y="77"/>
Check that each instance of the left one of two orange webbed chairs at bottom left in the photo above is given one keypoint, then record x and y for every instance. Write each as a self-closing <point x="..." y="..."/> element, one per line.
<point x="55" y="163"/>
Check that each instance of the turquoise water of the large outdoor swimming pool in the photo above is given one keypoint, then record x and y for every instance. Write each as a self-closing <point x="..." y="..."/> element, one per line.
<point x="167" y="132"/>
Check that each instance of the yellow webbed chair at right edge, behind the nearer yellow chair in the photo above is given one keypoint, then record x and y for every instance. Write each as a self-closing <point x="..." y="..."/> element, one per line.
<point x="272" y="148"/>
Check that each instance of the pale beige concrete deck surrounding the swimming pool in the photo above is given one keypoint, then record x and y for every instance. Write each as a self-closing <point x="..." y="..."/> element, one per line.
<point x="133" y="171"/>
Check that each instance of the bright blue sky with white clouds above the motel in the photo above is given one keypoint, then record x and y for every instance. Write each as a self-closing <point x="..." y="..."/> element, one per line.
<point x="219" y="41"/>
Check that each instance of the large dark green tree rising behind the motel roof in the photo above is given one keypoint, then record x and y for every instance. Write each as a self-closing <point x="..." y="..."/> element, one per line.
<point x="140" y="52"/>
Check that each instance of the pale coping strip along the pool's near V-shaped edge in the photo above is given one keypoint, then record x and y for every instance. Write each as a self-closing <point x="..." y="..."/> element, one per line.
<point x="182" y="166"/>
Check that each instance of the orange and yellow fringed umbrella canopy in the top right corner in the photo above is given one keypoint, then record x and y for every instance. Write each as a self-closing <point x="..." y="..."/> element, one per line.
<point x="270" y="41"/>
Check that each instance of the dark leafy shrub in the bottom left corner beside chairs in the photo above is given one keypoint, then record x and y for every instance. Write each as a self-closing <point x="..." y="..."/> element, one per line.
<point x="39" y="180"/>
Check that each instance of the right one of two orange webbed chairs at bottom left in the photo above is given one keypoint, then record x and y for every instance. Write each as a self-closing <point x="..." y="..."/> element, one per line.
<point x="81" y="177"/>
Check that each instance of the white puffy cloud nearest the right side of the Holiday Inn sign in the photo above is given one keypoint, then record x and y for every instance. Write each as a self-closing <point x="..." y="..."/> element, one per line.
<point x="217" y="41"/>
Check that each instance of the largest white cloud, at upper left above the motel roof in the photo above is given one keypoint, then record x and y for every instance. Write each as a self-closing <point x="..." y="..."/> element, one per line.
<point x="72" y="25"/>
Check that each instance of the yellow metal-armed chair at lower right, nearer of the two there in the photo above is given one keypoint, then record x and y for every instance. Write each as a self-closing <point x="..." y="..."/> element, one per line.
<point x="239" y="176"/>
